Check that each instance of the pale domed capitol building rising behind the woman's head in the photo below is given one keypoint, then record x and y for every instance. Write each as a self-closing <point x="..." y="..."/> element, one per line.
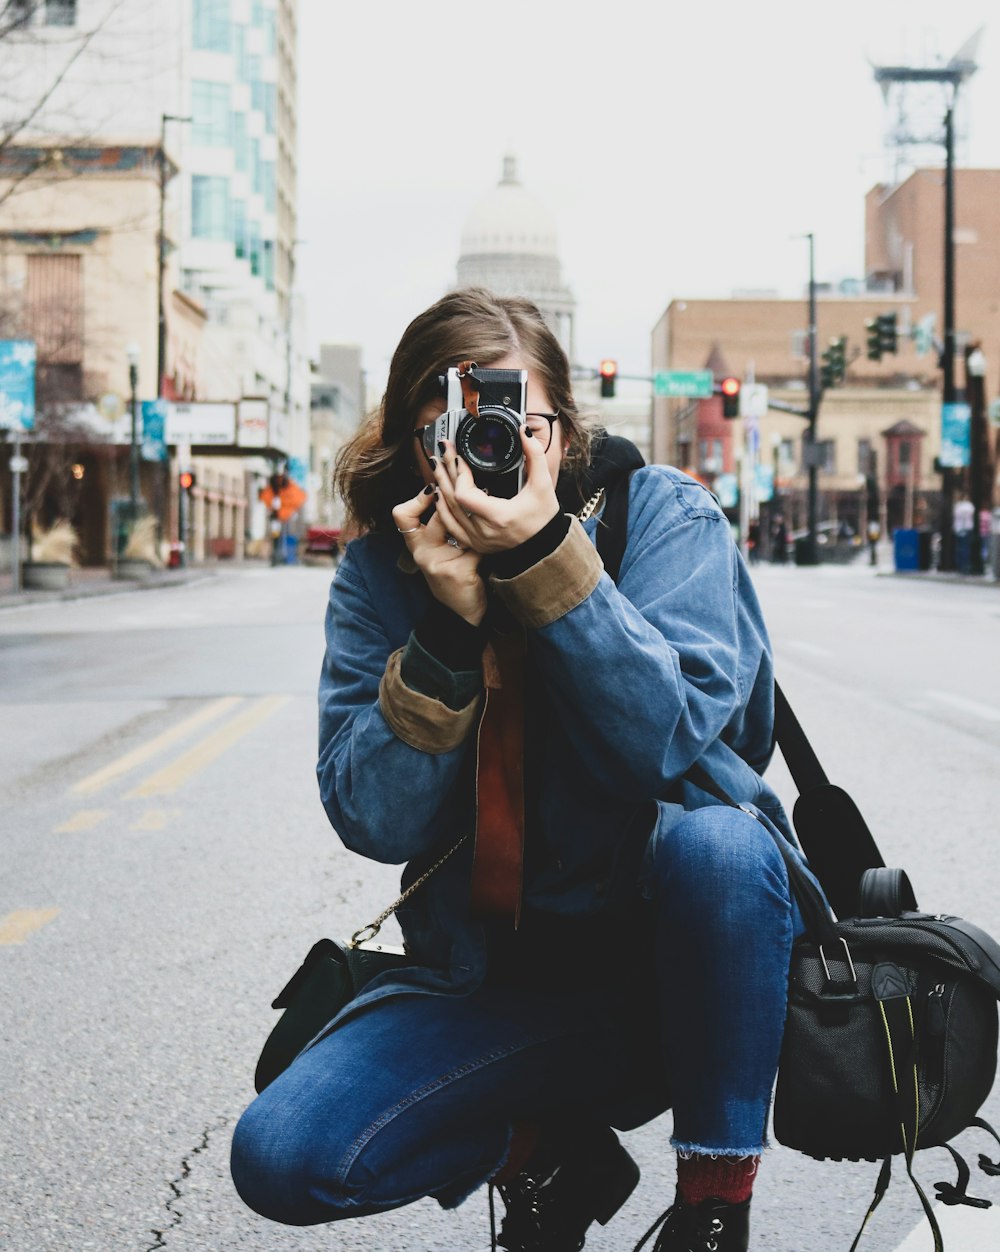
<point x="509" y="245"/>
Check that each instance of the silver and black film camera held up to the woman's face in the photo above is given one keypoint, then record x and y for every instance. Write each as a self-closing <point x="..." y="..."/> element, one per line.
<point x="489" y="443"/>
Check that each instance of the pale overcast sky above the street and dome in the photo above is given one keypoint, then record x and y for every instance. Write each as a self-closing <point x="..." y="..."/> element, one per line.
<point x="679" y="147"/>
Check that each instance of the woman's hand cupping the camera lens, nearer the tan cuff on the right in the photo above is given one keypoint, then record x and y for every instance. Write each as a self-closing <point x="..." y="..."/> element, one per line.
<point x="492" y="524"/>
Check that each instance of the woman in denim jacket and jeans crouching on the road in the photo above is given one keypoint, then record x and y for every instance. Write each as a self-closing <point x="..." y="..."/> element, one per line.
<point x="633" y="955"/>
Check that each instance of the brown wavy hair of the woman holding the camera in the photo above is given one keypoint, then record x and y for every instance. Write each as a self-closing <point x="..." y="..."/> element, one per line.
<point x="375" y="471"/>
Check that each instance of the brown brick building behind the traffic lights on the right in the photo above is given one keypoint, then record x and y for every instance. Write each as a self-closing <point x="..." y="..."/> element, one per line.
<point x="887" y="418"/>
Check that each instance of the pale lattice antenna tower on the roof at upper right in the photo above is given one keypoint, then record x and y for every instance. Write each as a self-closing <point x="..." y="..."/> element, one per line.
<point x="917" y="100"/>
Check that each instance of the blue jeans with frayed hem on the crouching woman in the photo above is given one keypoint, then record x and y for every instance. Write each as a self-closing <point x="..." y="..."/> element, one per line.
<point x="417" y="1095"/>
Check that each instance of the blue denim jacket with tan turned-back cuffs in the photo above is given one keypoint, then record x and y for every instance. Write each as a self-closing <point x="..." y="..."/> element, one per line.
<point x="643" y="679"/>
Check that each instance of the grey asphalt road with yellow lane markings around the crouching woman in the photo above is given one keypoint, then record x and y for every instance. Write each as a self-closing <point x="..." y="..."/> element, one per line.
<point x="167" y="865"/>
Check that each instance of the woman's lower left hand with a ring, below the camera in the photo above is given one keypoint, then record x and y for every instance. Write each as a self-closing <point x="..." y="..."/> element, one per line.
<point x="452" y="573"/>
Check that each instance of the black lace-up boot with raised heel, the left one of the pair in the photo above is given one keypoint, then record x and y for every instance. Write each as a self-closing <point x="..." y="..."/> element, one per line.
<point x="564" y="1189"/>
